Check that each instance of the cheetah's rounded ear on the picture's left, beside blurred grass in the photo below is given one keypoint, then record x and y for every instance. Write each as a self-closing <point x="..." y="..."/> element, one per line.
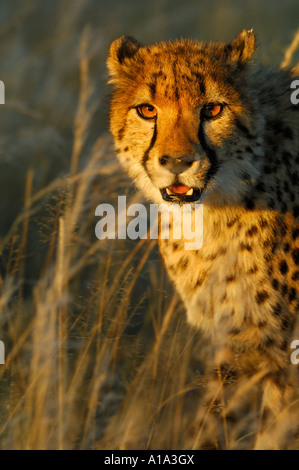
<point x="121" y="51"/>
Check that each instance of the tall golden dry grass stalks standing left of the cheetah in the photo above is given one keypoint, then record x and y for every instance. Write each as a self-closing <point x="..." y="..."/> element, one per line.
<point x="71" y="359"/>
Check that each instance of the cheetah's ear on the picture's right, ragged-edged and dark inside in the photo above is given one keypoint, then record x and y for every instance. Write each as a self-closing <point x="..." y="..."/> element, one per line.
<point x="242" y="47"/>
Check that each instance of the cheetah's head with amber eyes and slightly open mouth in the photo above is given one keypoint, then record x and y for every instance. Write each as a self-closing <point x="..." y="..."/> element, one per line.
<point x="185" y="126"/>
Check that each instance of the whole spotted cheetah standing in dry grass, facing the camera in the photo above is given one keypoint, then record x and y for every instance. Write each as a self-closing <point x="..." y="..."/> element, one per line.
<point x="205" y="123"/>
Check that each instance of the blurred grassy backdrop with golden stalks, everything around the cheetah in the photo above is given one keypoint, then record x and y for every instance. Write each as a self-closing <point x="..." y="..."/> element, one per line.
<point x="93" y="330"/>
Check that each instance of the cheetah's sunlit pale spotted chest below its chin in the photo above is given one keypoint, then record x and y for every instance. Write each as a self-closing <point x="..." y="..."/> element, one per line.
<point x="226" y="279"/>
